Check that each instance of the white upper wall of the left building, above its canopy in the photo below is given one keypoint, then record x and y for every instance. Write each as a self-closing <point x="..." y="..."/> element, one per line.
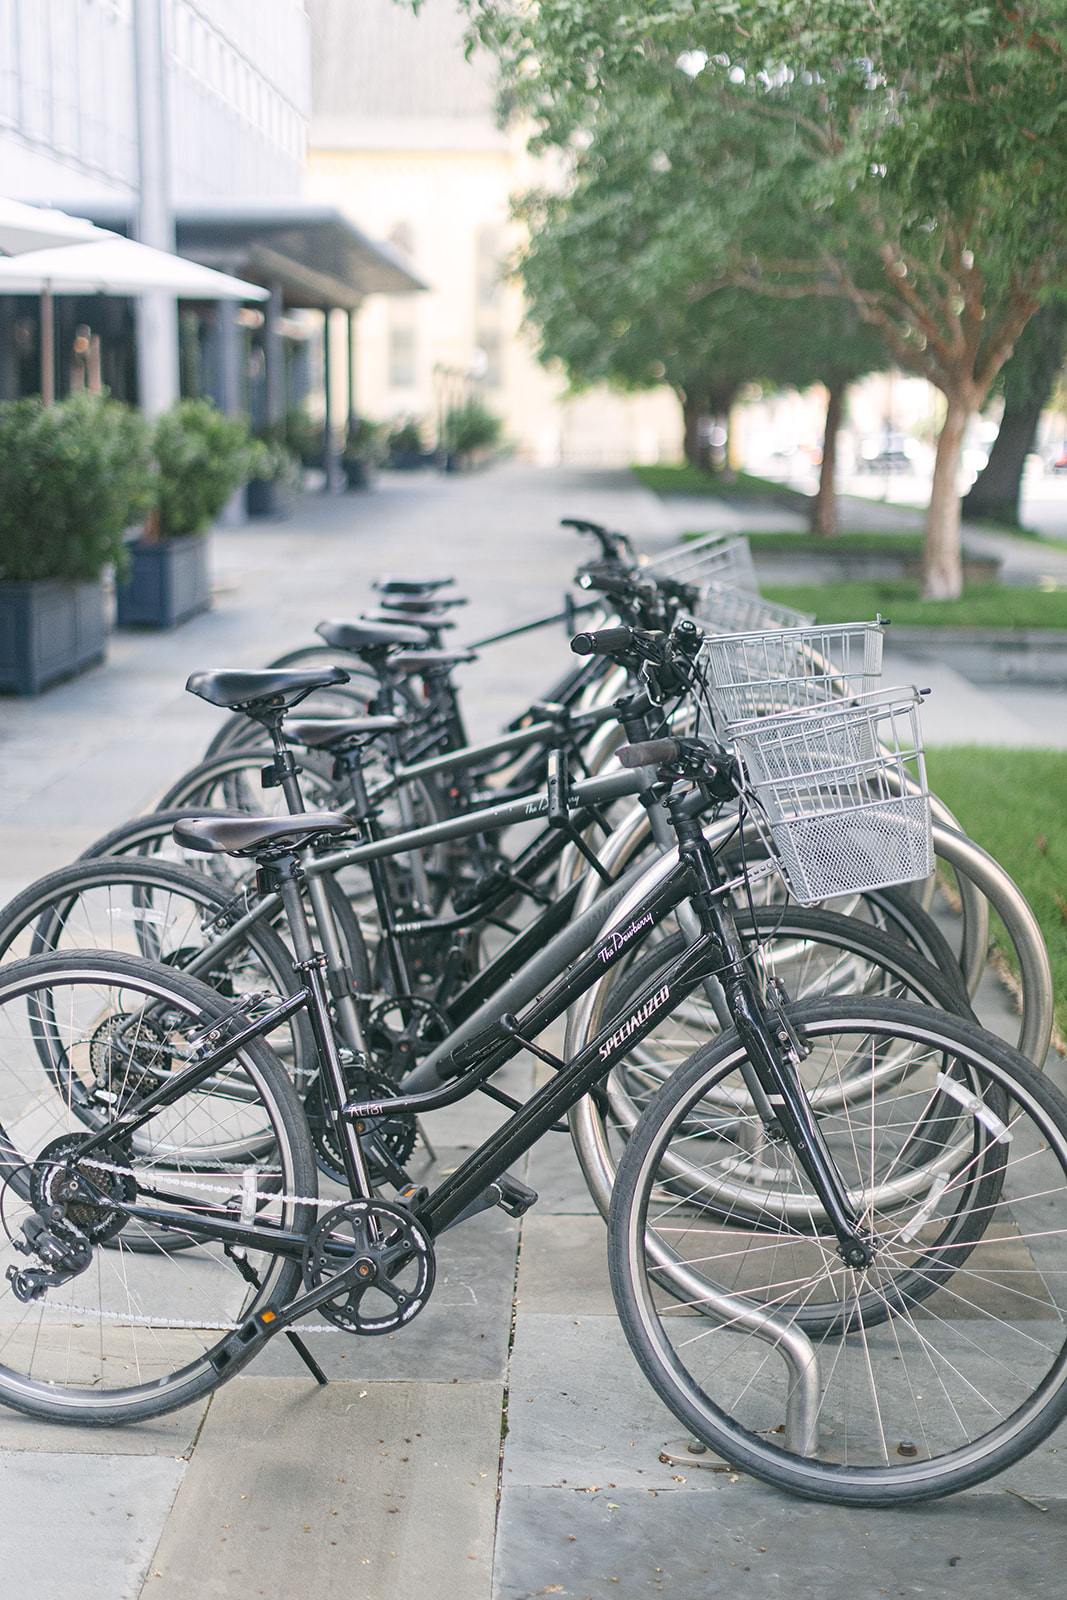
<point x="236" y="98"/>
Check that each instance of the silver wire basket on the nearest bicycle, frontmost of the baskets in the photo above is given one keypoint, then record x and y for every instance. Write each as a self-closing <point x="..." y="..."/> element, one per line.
<point x="844" y="791"/>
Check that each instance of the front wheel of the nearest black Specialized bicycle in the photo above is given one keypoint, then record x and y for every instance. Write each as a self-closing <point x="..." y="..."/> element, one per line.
<point x="924" y="1374"/>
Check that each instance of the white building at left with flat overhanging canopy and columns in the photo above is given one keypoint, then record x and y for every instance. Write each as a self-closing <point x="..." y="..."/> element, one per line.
<point x="183" y="124"/>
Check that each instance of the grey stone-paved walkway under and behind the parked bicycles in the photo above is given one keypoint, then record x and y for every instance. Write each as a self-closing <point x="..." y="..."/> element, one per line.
<point x="393" y="1481"/>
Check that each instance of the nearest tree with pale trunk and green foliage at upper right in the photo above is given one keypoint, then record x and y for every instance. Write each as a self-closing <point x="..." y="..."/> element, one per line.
<point x="916" y="150"/>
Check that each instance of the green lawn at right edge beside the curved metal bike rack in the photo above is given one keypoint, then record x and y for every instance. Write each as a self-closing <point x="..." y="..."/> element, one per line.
<point x="1015" y="806"/>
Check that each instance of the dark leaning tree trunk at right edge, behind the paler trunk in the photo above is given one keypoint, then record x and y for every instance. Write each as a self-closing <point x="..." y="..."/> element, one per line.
<point x="1029" y="380"/>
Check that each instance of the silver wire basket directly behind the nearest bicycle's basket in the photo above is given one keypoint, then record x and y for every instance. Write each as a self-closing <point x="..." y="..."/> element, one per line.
<point x="759" y="674"/>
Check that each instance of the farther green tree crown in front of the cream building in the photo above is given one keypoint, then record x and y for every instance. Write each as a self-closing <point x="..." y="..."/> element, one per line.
<point x="615" y="270"/>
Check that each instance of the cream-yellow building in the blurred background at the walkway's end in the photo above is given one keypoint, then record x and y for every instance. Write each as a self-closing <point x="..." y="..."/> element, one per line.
<point x="404" y="135"/>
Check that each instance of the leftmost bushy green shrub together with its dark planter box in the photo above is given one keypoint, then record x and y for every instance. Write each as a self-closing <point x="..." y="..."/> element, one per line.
<point x="73" y="479"/>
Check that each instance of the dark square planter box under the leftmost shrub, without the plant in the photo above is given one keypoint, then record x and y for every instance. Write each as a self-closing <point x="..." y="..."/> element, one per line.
<point x="49" y="631"/>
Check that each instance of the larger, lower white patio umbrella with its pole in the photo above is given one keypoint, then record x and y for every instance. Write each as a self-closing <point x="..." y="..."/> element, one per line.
<point x="111" y="266"/>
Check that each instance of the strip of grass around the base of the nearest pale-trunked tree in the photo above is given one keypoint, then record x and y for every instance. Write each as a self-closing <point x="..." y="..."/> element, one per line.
<point x="983" y="606"/>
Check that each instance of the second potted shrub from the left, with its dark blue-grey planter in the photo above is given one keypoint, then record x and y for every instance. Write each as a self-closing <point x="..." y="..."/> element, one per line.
<point x="202" y="457"/>
